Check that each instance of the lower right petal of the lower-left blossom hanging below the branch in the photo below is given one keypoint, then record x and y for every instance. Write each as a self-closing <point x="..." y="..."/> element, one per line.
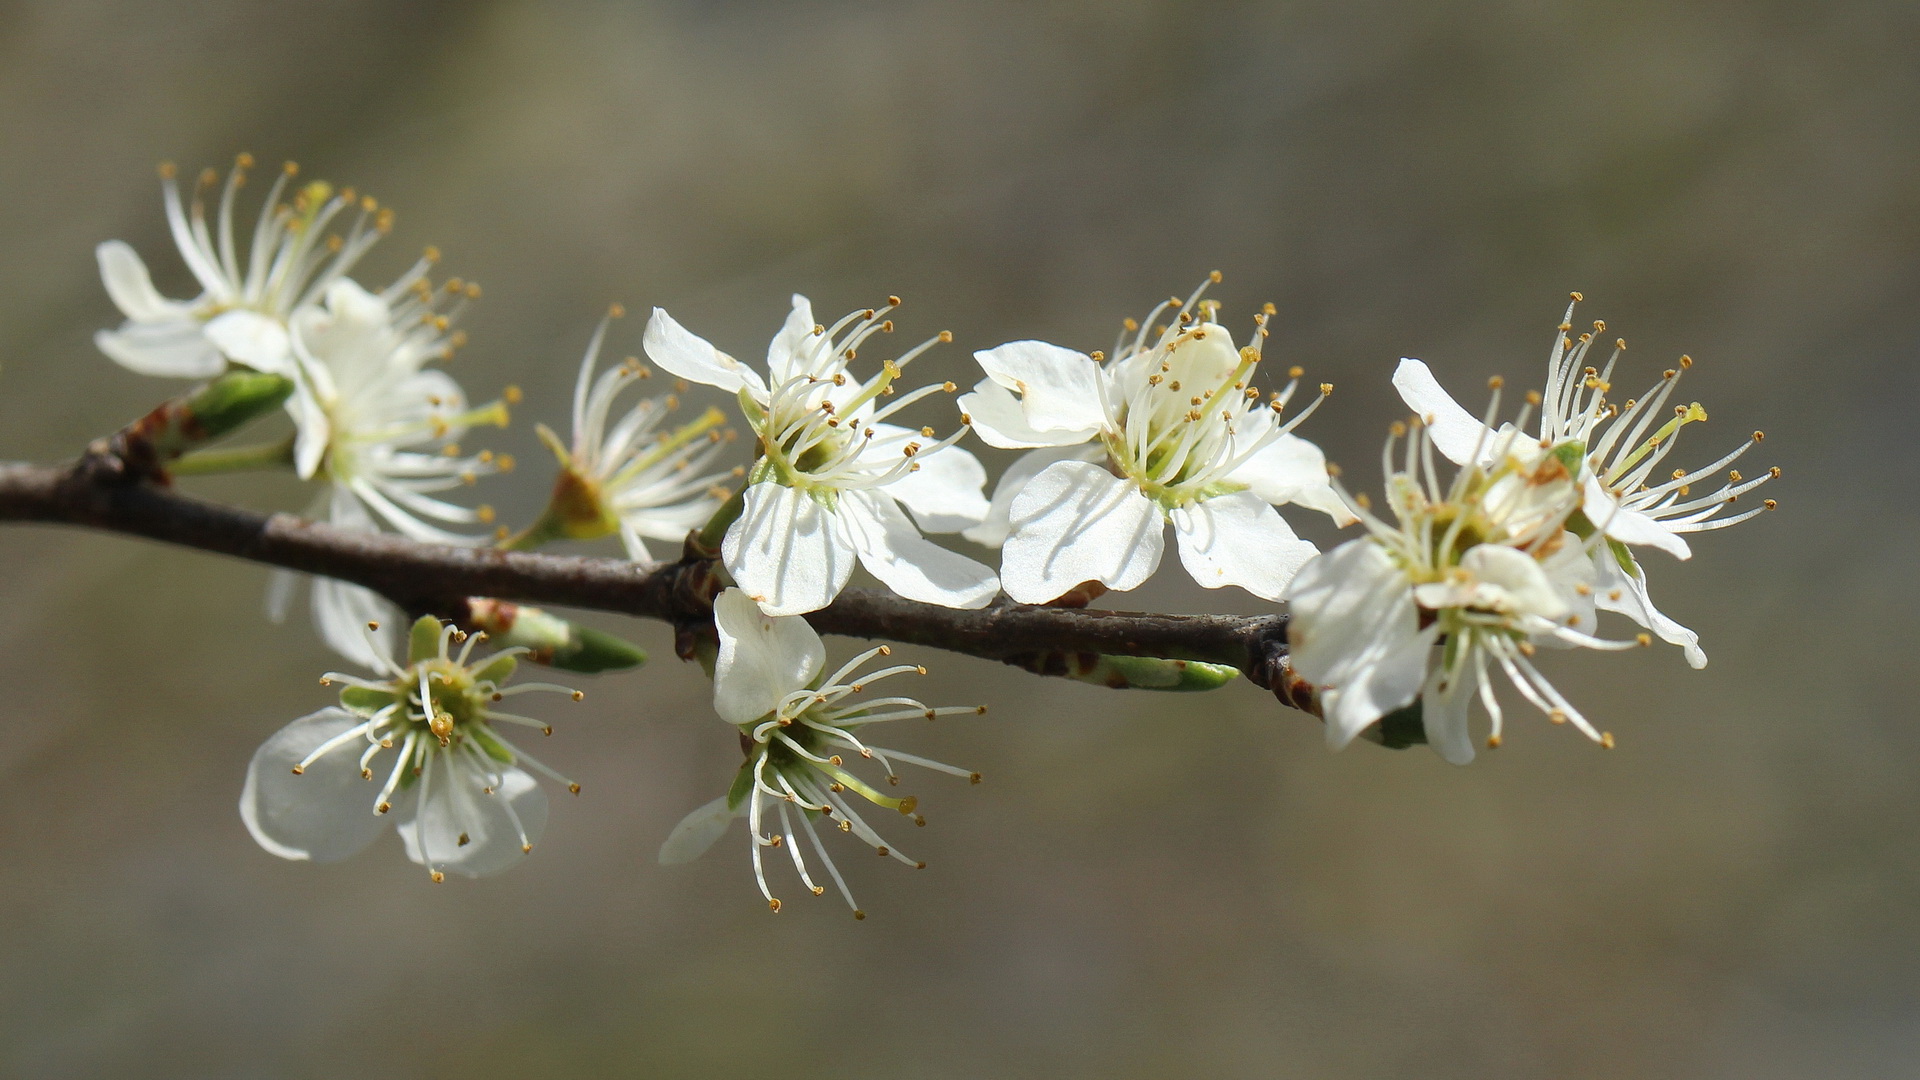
<point x="458" y="806"/>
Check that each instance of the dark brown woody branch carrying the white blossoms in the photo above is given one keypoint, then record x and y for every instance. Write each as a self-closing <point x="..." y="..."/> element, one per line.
<point x="103" y="493"/>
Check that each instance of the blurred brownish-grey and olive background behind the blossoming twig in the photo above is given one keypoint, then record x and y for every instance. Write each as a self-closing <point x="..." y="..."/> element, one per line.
<point x="1143" y="887"/>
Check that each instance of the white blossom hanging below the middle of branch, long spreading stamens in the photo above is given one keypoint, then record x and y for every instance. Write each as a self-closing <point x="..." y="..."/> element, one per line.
<point x="800" y="731"/>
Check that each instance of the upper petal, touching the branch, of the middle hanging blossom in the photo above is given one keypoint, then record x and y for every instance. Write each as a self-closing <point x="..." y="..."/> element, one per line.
<point x="763" y="658"/>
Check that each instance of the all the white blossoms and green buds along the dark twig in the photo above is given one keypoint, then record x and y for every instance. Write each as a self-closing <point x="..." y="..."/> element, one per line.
<point x="1454" y="587"/>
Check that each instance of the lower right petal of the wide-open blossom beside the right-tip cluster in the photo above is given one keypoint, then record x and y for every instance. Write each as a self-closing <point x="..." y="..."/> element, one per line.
<point x="1239" y="541"/>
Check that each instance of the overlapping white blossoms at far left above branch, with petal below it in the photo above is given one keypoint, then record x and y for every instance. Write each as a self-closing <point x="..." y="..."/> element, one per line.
<point x="373" y="424"/>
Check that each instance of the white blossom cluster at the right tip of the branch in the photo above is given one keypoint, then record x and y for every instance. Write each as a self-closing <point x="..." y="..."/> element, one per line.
<point x="1520" y="551"/>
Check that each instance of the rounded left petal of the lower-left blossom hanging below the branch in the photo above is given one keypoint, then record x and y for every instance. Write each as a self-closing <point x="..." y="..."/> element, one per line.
<point x="325" y="814"/>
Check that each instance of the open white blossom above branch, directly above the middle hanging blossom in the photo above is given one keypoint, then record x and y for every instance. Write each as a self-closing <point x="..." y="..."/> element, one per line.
<point x="834" y="481"/>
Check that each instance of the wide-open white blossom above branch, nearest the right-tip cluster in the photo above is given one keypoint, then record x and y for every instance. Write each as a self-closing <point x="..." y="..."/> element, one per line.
<point x="1170" y="431"/>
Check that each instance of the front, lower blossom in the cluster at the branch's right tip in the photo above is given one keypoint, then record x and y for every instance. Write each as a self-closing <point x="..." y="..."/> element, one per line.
<point x="1485" y="568"/>
